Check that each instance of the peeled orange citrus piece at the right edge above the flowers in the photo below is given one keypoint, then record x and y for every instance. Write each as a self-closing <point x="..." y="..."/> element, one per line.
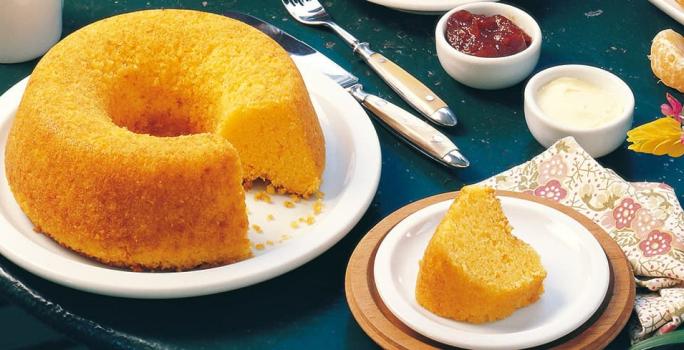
<point x="667" y="58"/>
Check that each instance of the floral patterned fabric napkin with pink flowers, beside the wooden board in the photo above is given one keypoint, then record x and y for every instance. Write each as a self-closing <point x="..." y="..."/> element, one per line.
<point x="645" y="219"/>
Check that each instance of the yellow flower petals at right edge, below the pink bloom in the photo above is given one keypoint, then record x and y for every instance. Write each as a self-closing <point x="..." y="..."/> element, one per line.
<point x="659" y="137"/>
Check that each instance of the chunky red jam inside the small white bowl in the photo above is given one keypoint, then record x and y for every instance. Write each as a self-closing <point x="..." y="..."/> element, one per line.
<point x="485" y="36"/>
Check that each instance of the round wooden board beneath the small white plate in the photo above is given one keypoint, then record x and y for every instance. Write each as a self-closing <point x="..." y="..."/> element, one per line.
<point x="390" y="333"/>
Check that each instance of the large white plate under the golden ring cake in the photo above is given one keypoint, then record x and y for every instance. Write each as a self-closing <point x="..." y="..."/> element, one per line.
<point x="350" y="180"/>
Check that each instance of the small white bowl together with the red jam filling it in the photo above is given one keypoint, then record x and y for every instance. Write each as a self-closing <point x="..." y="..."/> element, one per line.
<point x="470" y="49"/>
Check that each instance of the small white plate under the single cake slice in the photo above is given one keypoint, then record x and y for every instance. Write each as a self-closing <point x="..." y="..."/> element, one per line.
<point x="575" y="286"/>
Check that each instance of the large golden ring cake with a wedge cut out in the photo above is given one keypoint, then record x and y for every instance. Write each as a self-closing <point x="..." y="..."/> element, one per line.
<point x="135" y="134"/>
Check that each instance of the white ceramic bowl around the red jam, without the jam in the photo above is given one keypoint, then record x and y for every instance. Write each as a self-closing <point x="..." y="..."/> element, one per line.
<point x="490" y="73"/>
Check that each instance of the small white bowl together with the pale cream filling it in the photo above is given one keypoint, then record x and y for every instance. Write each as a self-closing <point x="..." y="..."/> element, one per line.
<point x="588" y="103"/>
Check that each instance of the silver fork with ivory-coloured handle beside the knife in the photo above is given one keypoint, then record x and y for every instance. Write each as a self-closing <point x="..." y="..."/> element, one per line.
<point x="419" y="96"/>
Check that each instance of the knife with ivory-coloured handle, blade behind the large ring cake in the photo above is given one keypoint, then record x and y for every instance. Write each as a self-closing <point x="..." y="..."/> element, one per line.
<point x="412" y="129"/>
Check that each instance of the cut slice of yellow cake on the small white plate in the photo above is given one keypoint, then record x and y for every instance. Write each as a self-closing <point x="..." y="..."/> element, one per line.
<point x="474" y="269"/>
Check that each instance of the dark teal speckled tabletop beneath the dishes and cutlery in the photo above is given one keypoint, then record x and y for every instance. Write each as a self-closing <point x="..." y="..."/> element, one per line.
<point x="306" y="308"/>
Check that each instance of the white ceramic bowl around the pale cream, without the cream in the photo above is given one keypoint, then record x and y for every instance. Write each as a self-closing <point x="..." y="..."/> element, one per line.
<point x="597" y="141"/>
